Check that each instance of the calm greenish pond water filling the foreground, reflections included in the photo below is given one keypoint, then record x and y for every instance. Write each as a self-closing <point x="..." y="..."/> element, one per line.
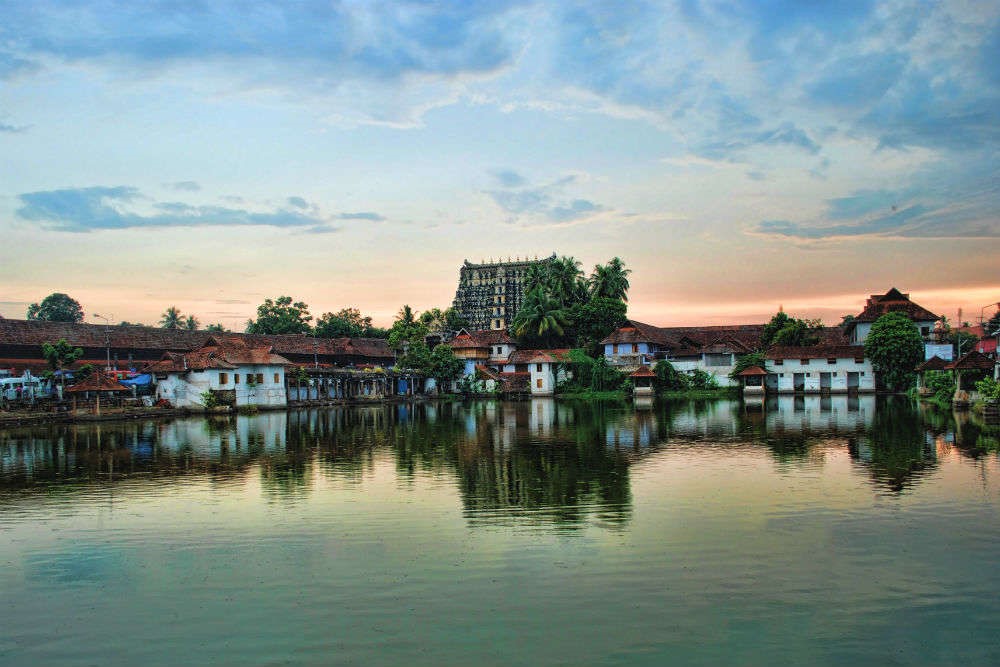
<point x="816" y="531"/>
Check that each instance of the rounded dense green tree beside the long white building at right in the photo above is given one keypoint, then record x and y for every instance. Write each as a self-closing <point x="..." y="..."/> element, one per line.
<point x="895" y="347"/>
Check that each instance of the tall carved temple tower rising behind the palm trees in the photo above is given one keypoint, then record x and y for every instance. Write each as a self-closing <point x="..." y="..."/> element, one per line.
<point x="490" y="294"/>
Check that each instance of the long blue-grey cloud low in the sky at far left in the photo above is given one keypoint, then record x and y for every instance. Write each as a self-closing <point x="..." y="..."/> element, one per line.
<point x="87" y="209"/>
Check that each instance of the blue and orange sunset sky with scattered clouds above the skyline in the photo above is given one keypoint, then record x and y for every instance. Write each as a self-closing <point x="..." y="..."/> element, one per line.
<point x="739" y="157"/>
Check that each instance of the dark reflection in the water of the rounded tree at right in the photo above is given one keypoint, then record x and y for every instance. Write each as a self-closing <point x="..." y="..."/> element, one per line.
<point x="894" y="448"/>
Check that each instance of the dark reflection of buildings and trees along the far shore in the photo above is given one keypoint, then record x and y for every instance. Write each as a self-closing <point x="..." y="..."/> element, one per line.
<point x="546" y="461"/>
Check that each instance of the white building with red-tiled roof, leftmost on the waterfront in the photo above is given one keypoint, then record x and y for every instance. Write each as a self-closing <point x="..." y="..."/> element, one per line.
<point x="226" y="368"/>
